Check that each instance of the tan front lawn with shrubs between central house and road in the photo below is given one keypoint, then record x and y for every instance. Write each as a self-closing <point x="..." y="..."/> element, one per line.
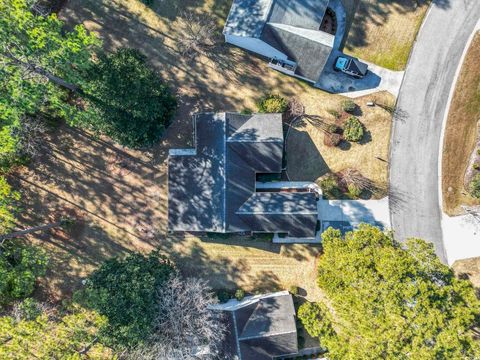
<point x="308" y="158"/>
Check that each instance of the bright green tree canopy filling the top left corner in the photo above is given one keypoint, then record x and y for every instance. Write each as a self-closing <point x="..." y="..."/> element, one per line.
<point x="38" y="59"/>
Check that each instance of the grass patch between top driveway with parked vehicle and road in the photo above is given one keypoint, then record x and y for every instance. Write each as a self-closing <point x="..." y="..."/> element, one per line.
<point x="383" y="31"/>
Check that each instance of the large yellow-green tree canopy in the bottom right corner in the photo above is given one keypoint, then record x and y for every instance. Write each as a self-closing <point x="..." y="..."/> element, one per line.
<point x="392" y="302"/>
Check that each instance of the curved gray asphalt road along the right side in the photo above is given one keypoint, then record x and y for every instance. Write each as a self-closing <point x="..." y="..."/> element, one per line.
<point x="414" y="199"/>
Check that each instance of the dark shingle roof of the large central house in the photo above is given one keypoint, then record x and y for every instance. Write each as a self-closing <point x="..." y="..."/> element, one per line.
<point x="212" y="188"/>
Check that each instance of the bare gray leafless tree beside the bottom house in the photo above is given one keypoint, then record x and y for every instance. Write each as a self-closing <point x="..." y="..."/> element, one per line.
<point x="185" y="328"/>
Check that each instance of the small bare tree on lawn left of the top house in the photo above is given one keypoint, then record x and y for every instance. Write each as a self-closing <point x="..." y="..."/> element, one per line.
<point x="197" y="34"/>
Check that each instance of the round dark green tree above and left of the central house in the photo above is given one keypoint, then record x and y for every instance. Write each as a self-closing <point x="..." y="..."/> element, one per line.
<point x="128" y="101"/>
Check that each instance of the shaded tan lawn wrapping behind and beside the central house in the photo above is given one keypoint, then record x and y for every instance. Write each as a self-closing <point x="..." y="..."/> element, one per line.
<point x="119" y="196"/>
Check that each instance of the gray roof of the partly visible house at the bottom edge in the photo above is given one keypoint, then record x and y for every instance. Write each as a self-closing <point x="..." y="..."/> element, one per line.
<point x="264" y="328"/>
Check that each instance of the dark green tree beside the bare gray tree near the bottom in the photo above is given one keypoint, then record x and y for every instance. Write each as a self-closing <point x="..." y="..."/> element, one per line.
<point x="124" y="290"/>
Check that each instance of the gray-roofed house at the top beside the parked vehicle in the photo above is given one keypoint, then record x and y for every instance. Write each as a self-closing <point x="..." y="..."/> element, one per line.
<point x="288" y="32"/>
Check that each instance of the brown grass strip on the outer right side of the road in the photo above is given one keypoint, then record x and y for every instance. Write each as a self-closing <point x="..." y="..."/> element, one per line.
<point x="461" y="132"/>
